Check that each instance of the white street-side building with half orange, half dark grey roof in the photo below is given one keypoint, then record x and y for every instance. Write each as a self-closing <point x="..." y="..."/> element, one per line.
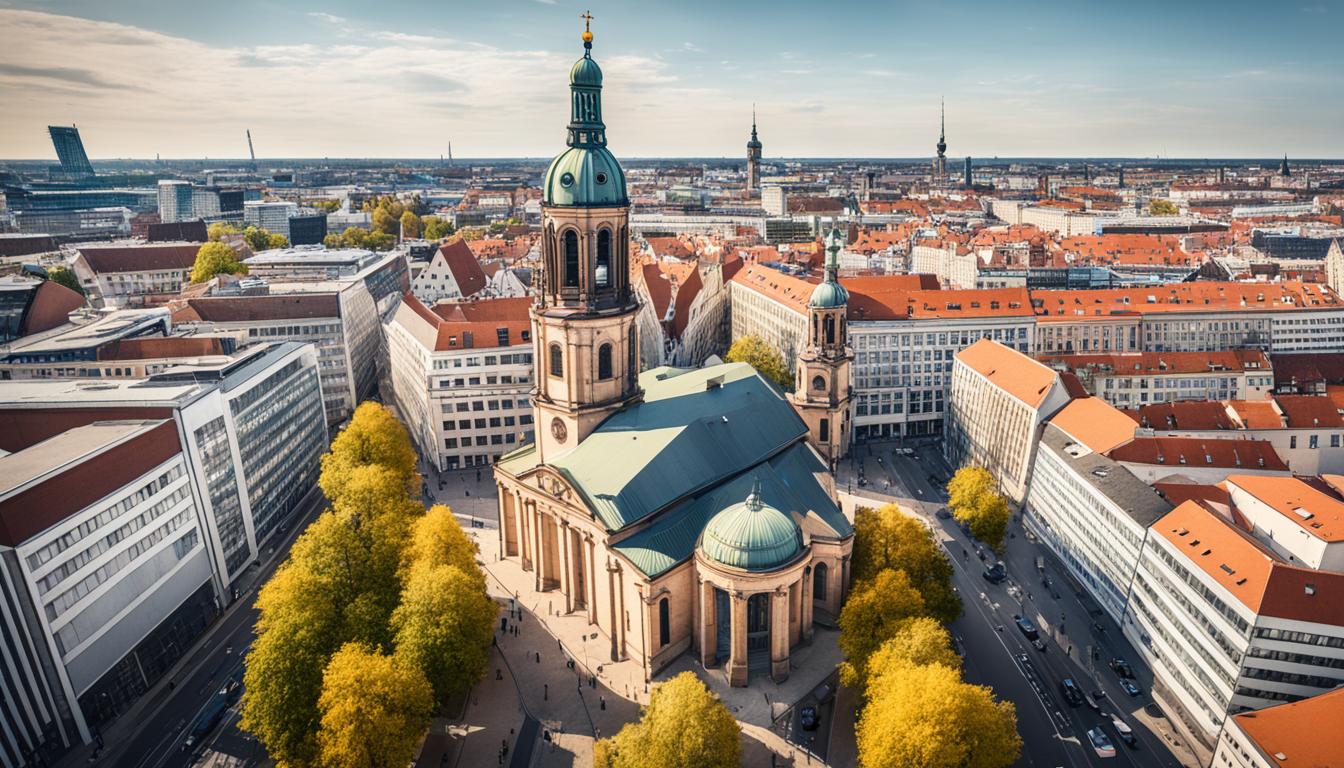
<point x="1089" y="510"/>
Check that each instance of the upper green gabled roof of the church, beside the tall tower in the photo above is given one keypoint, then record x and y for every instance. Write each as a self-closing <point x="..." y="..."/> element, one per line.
<point x="693" y="430"/>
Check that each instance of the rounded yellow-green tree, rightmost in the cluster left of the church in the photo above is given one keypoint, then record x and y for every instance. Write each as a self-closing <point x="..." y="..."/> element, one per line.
<point x="444" y="626"/>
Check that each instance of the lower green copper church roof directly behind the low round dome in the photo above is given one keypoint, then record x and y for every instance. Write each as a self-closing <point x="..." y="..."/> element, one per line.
<point x="788" y="484"/>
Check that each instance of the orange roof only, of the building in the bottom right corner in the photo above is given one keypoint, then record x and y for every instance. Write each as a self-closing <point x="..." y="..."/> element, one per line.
<point x="1299" y="735"/>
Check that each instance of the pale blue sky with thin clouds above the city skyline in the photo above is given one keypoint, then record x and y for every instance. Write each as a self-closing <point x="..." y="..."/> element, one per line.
<point x="404" y="79"/>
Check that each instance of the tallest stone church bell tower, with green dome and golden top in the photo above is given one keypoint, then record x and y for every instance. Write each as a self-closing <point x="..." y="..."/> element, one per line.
<point x="584" y="321"/>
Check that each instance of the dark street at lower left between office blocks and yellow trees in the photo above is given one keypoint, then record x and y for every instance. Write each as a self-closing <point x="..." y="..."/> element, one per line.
<point x="169" y="714"/>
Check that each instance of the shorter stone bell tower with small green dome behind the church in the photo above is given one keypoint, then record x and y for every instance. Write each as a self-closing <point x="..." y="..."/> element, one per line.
<point x="822" y="392"/>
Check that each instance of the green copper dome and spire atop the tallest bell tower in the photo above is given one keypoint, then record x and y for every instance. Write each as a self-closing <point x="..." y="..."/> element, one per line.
<point x="587" y="174"/>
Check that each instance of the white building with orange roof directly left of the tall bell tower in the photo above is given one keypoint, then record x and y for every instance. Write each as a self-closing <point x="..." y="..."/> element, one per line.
<point x="462" y="379"/>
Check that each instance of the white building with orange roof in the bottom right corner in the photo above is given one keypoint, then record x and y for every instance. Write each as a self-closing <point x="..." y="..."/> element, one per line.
<point x="1287" y="735"/>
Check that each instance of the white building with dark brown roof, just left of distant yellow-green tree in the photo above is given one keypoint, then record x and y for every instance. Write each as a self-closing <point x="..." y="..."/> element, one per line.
<point x="135" y="275"/>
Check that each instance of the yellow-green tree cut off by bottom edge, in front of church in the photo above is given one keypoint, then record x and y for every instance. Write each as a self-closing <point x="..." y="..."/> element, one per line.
<point x="685" y="726"/>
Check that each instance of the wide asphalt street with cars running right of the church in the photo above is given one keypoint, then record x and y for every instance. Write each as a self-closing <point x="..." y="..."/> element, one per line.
<point x="999" y="656"/>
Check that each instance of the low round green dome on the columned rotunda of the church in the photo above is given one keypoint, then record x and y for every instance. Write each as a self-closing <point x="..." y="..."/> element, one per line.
<point x="752" y="536"/>
